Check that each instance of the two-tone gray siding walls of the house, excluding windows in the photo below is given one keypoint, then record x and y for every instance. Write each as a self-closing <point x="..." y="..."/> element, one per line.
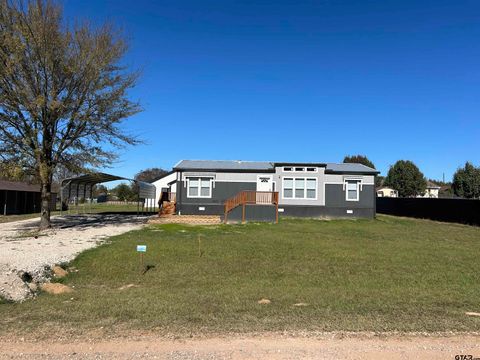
<point x="330" y="201"/>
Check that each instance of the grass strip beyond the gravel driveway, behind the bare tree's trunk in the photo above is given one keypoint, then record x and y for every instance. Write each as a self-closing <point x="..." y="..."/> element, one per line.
<point x="81" y="209"/>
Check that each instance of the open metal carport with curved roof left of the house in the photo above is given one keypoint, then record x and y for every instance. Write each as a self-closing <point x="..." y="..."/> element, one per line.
<point x="81" y="187"/>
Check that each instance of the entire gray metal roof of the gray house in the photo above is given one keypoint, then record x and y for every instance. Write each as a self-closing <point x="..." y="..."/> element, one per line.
<point x="237" y="165"/>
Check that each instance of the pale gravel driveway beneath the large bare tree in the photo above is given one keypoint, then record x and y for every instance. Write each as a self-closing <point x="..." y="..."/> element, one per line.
<point x="24" y="250"/>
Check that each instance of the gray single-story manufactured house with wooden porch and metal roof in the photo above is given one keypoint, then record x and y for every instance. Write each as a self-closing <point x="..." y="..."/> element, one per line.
<point x="258" y="189"/>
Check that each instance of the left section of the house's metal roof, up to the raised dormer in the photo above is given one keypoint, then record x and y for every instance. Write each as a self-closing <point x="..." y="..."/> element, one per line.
<point x="235" y="165"/>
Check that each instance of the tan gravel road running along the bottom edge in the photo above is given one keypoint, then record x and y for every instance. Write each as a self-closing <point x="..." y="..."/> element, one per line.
<point x="248" y="347"/>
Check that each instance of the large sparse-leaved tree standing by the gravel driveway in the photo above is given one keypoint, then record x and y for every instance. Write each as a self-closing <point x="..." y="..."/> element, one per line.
<point x="63" y="92"/>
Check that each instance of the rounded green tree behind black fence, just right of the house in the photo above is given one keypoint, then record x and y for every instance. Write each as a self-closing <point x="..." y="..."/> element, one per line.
<point x="406" y="178"/>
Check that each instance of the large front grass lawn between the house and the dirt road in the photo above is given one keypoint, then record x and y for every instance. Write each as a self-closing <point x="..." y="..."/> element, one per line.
<point x="389" y="274"/>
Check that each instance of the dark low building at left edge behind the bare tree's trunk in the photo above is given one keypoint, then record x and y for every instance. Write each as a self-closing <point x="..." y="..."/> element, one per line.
<point x="21" y="198"/>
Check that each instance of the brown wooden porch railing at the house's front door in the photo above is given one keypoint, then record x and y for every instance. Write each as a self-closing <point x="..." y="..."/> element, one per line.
<point x="244" y="198"/>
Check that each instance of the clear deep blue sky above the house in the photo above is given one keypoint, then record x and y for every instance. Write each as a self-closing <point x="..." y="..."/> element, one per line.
<point x="300" y="80"/>
